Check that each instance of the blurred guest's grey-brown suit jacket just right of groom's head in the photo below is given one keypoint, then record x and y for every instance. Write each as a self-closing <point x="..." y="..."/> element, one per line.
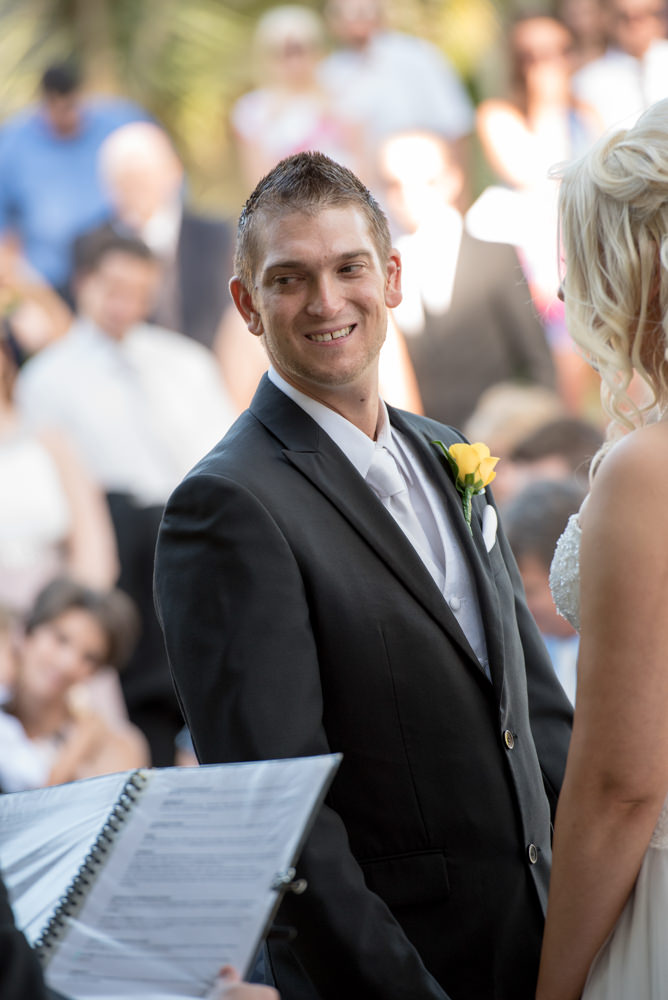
<point x="490" y="333"/>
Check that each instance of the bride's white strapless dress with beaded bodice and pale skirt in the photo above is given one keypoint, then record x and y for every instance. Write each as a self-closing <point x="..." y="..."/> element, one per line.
<point x="633" y="963"/>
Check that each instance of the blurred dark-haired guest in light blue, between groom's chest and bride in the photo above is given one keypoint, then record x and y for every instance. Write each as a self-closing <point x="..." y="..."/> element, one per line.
<point x="534" y="520"/>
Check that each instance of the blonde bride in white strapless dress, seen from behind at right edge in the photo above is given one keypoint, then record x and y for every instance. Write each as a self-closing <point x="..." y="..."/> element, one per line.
<point x="606" y="935"/>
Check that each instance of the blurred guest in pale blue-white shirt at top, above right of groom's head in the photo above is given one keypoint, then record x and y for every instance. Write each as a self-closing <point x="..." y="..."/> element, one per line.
<point x="390" y="81"/>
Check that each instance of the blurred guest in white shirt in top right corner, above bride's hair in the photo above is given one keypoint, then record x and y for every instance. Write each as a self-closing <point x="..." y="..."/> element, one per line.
<point x="633" y="71"/>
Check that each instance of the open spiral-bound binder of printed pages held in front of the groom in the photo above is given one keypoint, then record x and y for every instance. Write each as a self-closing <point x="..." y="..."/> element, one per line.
<point x="154" y="879"/>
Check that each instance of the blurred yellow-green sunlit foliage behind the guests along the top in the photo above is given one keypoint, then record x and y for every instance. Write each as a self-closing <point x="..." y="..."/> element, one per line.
<point x="188" y="62"/>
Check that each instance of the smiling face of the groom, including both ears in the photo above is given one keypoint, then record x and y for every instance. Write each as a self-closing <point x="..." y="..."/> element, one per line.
<point x="320" y="299"/>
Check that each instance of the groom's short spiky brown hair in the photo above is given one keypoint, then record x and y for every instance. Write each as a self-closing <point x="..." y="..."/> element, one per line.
<point x="305" y="182"/>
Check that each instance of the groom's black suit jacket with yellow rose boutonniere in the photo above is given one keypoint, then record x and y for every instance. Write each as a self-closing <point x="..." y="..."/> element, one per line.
<point x="299" y="620"/>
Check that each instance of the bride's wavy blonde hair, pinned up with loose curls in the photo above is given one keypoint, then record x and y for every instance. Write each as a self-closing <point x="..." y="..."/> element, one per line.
<point x="613" y="207"/>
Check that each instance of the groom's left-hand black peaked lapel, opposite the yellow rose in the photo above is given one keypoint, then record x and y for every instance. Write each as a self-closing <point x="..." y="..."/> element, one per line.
<point x="316" y="456"/>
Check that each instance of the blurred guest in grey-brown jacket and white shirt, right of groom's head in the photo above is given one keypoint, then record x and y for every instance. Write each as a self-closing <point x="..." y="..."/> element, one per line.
<point x="466" y="313"/>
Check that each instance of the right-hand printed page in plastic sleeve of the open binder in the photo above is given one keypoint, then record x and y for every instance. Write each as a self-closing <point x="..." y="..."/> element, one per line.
<point x="188" y="886"/>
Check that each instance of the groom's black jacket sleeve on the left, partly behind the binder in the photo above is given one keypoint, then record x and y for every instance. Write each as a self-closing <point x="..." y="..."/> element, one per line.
<point x="235" y="613"/>
